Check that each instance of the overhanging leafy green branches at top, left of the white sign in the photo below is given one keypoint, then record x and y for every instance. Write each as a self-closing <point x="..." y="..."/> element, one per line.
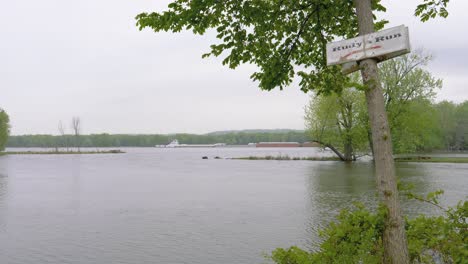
<point x="284" y="38"/>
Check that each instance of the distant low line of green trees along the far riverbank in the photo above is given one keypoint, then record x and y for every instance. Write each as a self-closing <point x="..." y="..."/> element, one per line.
<point x="125" y="140"/>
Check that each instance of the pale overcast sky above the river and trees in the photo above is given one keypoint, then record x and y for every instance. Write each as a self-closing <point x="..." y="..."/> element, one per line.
<point x="63" y="58"/>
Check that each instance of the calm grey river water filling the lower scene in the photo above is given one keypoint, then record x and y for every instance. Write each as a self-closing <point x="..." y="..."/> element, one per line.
<point x="171" y="206"/>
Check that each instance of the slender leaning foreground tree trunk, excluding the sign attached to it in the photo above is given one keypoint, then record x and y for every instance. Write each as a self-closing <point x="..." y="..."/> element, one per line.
<point x="394" y="237"/>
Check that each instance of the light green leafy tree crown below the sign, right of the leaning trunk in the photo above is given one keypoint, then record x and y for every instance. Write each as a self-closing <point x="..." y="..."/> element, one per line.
<point x="409" y="91"/>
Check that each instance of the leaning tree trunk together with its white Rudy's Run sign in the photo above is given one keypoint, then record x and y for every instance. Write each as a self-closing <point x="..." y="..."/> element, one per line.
<point x="364" y="52"/>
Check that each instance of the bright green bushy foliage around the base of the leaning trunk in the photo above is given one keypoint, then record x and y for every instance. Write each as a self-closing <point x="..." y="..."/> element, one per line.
<point x="356" y="237"/>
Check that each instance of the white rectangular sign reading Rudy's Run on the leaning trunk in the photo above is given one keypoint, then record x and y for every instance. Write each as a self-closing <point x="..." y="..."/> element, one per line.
<point x="382" y="45"/>
